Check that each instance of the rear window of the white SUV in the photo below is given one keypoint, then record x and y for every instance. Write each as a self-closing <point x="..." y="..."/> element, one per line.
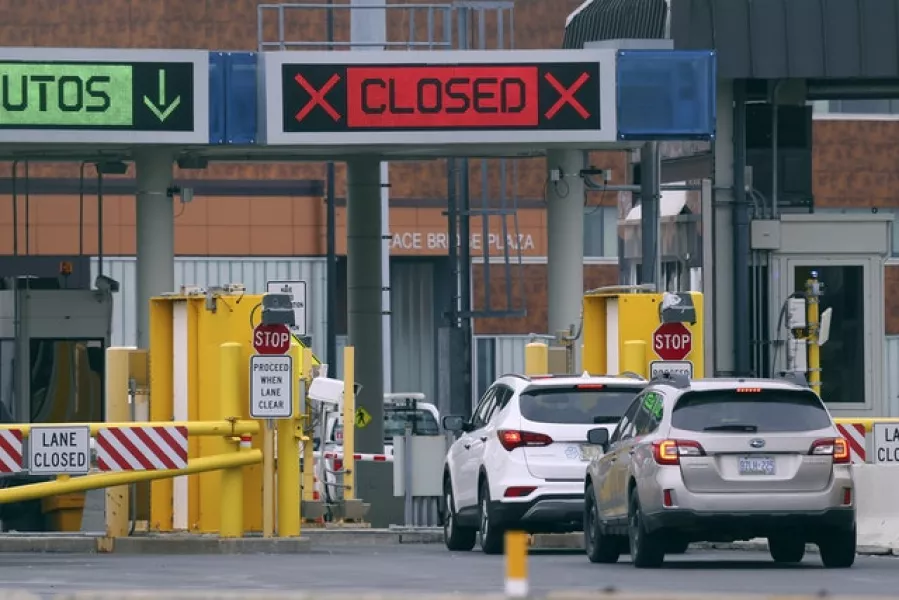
<point x="582" y="406"/>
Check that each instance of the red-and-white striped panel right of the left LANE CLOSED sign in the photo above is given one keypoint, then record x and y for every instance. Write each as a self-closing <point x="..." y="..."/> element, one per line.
<point x="141" y="448"/>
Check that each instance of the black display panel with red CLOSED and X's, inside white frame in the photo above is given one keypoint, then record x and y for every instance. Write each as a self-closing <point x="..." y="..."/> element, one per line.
<point x="441" y="97"/>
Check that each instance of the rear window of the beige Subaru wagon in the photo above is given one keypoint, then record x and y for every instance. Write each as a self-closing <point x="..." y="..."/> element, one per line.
<point x="764" y="411"/>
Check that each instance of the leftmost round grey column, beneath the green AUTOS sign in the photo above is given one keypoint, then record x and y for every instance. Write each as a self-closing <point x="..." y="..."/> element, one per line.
<point x="155" y="225"/>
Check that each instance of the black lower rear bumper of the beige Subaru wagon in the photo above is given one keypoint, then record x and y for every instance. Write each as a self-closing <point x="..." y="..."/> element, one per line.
<point x="724" y="527"/>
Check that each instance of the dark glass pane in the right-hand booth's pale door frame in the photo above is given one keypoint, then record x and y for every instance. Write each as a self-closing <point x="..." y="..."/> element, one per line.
<point x="843" y="356"/>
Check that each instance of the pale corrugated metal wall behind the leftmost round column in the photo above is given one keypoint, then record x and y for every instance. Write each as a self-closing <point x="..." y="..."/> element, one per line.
<point x="205" y="271"/>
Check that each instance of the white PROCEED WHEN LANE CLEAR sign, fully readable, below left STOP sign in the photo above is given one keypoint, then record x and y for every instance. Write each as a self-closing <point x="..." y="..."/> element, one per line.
<point x="271" y="386"/>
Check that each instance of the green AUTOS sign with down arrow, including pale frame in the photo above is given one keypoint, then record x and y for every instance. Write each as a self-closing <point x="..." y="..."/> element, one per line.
<point x="97" y="101"/>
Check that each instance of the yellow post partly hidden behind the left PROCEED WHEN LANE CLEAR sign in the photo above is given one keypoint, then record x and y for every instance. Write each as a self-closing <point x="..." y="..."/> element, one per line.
<point x="289" y="459"/>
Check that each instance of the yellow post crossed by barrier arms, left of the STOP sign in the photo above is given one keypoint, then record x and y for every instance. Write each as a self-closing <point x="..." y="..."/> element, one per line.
<point x="231" y="486"/>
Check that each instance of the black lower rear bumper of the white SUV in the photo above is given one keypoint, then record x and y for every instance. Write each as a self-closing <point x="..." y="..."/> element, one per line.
<point x="547" y="513"/>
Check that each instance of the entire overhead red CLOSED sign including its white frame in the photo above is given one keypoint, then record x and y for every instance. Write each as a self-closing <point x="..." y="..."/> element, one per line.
<point x="528" y="99"/>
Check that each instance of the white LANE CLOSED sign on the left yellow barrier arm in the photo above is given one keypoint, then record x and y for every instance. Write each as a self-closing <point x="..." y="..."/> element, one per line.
<point x="59" y="450"/>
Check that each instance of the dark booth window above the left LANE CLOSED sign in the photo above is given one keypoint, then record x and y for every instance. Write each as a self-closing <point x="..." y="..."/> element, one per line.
<point x="66" y="380"/>
